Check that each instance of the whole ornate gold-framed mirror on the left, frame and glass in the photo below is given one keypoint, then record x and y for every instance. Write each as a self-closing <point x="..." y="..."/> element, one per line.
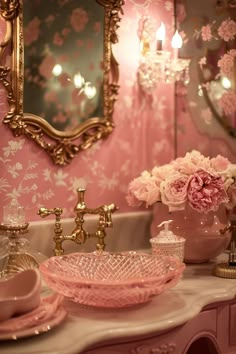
<point x="62" y="71"/>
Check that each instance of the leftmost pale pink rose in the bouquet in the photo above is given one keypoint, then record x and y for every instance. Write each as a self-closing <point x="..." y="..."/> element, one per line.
<point x="145" y="188"/>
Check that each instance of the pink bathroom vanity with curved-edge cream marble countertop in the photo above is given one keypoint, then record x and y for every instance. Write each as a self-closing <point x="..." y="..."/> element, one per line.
<point x="198" y="315"/>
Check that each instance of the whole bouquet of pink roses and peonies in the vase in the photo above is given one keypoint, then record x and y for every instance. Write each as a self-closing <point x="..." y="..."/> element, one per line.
<point x="203" y="183"/>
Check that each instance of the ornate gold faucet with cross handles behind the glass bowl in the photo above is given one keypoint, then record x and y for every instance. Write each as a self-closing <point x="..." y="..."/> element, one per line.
<point x="79" y="235"/>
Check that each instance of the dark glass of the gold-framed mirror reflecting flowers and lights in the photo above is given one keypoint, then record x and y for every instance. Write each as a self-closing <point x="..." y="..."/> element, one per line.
<point x="63" y="61"/>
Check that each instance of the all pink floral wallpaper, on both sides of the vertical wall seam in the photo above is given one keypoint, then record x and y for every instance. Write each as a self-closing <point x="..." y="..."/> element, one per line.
<point x="149" y="129"/>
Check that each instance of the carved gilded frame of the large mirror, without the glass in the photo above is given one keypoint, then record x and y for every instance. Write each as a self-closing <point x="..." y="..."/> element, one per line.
<point x="61" y="146"/>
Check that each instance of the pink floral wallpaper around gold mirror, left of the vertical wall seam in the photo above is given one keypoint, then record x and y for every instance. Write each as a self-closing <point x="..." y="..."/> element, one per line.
<point x="143" y="135"/>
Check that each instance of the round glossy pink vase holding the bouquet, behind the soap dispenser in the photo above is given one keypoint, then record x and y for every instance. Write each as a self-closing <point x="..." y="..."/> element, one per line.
<point x="204" y="239"/>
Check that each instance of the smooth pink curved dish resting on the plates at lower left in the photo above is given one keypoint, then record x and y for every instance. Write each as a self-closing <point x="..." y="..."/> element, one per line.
<point x="20" y="294"/>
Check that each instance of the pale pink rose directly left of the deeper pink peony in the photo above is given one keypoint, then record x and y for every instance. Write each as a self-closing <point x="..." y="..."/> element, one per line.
<point x="174" y="192"/>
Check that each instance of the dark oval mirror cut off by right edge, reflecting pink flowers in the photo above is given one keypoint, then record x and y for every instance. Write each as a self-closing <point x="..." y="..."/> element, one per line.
<point x="217" y="68"/>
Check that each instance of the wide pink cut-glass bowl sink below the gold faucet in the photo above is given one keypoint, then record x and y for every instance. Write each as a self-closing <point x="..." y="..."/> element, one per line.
<point x="111" y="279"/>
